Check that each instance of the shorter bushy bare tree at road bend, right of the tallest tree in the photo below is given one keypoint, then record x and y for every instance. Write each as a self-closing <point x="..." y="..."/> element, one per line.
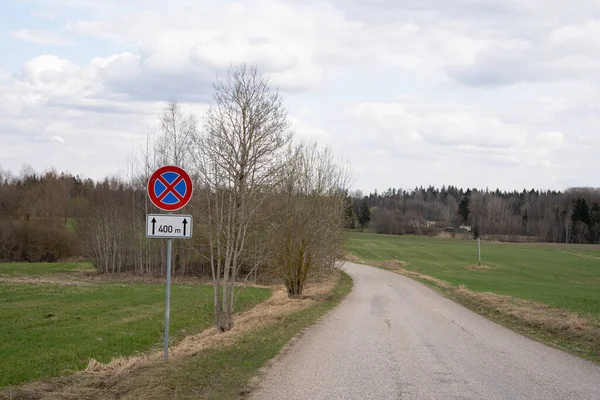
<point x="307" y="228"/>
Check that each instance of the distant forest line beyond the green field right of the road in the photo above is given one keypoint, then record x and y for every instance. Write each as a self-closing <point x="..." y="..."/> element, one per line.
<point x="570" y="216"/>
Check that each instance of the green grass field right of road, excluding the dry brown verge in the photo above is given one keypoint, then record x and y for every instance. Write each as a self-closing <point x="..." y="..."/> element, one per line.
<point x="563" y="276"/>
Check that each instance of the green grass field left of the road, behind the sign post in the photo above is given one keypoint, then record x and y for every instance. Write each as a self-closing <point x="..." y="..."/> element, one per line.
<point x="52" y="329"/>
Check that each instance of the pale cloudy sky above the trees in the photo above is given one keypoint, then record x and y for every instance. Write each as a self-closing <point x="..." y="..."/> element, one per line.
<point x="471" y="93"/>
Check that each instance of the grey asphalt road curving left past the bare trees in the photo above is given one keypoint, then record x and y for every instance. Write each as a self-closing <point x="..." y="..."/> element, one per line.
<point x="394" y="338"/>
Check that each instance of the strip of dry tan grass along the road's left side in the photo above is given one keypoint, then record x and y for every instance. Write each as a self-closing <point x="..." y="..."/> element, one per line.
<point x="124" y="374"/>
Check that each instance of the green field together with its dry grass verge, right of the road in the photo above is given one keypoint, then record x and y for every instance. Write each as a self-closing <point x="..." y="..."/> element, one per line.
<point x="550" y="292"/>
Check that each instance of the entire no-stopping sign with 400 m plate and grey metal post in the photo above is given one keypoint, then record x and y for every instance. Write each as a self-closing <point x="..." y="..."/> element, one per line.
<point x="169" y="189"/>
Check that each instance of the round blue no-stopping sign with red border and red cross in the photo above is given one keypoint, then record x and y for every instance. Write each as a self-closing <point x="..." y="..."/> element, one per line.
<point x="170" y="188"/>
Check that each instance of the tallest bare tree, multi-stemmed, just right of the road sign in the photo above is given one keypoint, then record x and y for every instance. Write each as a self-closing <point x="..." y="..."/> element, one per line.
<point x="239" y="158"/>
